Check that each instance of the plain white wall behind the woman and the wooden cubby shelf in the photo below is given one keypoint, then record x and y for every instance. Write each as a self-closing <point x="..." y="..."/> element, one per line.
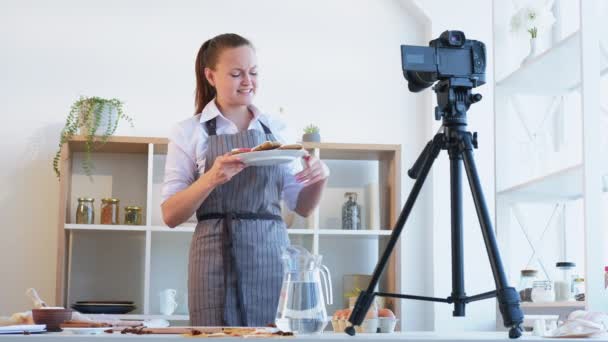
<point x="335" y="64"/>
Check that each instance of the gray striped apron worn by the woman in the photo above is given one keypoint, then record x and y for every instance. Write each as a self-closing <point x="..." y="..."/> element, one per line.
<point x="235" y="270"/>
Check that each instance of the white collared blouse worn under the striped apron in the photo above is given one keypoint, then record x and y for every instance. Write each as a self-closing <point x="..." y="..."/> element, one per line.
<point x="188" y="146"/>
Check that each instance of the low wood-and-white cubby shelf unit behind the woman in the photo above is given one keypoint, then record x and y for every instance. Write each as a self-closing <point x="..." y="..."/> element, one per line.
<point x="126" y="262"/>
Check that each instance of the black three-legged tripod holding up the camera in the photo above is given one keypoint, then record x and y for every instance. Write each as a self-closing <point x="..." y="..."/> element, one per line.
<point x="454" y="98"/>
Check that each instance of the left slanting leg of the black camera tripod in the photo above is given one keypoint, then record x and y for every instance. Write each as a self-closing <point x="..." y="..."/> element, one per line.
<point x="366" y="297"/>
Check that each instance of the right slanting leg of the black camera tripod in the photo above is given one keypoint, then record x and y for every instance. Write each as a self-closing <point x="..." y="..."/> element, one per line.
<point x="508" y="298"/>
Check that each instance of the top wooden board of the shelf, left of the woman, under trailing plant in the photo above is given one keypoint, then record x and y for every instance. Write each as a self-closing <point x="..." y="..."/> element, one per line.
<point x="117" y="144"/>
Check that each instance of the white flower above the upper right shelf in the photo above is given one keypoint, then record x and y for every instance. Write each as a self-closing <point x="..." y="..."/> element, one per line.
<point x="533" y="18"/>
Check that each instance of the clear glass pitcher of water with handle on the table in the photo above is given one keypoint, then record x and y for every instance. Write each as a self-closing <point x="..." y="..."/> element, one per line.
<point x="301" y="307"/>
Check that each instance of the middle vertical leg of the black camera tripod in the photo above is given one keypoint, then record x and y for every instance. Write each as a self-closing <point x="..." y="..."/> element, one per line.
<point x="458" y="295"/>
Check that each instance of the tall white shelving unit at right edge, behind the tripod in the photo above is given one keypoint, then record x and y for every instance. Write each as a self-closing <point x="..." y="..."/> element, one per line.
<point x="570" y="68"/>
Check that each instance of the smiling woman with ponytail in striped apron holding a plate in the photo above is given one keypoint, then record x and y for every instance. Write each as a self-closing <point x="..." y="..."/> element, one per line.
<point x="235" y="270"/>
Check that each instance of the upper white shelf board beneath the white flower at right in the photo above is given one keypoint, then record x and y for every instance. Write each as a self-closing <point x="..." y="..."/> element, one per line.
<point x="554" y="72"/>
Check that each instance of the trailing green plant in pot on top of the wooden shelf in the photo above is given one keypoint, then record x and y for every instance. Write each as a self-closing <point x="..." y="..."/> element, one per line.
<point x="90" y="117"/>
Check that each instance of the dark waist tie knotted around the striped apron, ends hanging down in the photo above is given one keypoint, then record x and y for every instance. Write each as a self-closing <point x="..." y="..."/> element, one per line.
<point x="227" y="252"/>
